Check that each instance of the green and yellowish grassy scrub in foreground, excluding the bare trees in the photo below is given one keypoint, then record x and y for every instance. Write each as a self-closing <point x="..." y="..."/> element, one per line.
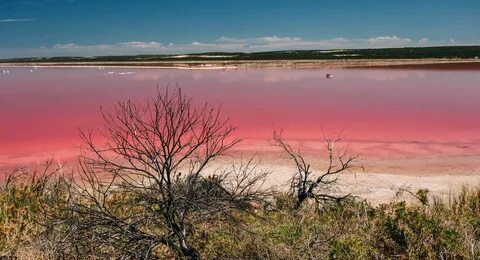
<point x="352" y="229"/>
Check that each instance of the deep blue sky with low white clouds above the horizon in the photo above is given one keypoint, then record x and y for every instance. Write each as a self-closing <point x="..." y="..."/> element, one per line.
<point x="89" y="27"/>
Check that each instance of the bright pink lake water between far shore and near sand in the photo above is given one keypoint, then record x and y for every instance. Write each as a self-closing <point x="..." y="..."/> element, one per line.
<point x="41" y="110"/>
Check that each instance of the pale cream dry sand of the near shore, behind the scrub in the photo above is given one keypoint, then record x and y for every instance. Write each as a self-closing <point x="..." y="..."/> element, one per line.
<point x="375" y="186"/>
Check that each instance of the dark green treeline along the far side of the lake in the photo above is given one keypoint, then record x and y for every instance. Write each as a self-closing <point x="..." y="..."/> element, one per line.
<point x="386" y="53"/>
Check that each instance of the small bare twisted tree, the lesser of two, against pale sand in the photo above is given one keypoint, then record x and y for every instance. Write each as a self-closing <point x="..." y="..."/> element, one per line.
<point x="308" y="185"/>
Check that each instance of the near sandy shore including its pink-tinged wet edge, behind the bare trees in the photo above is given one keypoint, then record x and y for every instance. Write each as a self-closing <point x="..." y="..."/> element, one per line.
<point x="377" y="178"/>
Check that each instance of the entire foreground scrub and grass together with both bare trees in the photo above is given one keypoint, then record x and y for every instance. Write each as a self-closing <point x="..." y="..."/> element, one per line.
<point x="145" y="194"/>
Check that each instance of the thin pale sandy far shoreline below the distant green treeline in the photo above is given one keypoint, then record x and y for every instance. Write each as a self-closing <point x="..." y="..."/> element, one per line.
<point x="246" y="64"/>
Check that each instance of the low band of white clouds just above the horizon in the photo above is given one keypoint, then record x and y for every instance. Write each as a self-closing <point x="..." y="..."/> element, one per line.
<point x="225" y="44"/>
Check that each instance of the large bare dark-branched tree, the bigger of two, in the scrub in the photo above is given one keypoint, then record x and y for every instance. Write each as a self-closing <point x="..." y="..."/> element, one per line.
<point x="146" y="188"/>
